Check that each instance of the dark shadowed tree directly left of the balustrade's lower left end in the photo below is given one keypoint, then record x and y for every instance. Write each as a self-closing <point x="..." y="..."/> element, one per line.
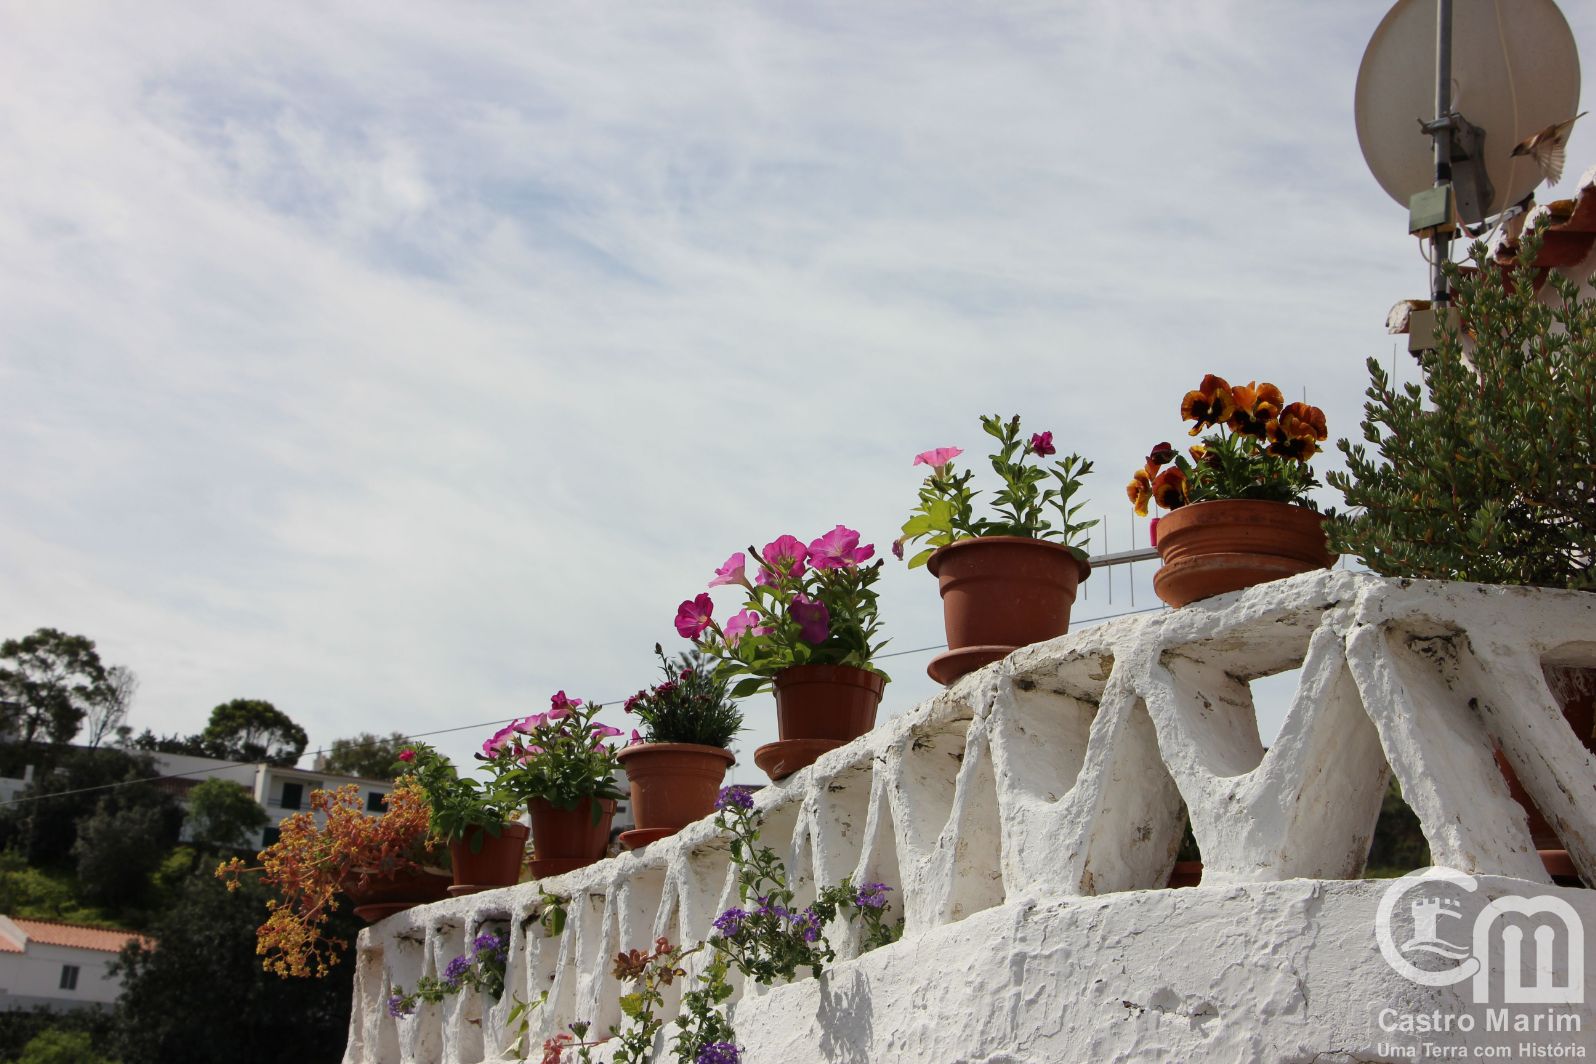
<point x="243" y="1015"/>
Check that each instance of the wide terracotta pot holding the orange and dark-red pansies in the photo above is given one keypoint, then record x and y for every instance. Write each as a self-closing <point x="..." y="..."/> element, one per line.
<point x="1215" y="548"/>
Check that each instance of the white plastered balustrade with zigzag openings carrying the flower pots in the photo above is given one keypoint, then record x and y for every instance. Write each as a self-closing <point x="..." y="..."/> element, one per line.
<point x="1069" y="771"/>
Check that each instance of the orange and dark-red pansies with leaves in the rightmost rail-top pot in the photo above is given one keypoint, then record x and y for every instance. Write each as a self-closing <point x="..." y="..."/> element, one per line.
<point x="1260" y="452"/>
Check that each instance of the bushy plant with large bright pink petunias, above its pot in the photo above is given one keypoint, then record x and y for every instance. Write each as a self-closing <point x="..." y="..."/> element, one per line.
<point x="807" y="605"/>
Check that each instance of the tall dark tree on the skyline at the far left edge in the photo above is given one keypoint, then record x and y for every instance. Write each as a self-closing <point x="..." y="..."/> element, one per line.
<point x="49" y="684"/>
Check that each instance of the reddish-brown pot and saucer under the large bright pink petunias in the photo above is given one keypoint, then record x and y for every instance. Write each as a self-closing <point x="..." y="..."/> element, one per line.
<point x="818" y="709"/>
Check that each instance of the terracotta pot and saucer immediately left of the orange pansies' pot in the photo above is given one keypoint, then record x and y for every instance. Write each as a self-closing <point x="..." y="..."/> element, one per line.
<point x="1000" y="594"/>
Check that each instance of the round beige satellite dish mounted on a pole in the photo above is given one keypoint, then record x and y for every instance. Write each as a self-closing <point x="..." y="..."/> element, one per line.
<point x="1515" y="71"/>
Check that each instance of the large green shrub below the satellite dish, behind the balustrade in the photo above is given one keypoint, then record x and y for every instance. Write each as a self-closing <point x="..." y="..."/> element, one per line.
<point x="1488" y="471"/>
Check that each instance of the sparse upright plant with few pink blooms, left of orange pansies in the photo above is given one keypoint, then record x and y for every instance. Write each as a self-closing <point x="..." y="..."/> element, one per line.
<point x="1025" y="508"/>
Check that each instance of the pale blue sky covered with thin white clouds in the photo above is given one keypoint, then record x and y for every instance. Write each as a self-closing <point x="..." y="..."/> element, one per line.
<point x="403" y="365"/>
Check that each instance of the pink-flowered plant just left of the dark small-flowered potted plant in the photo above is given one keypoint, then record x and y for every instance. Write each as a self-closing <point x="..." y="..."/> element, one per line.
<point x="559" y="757"/>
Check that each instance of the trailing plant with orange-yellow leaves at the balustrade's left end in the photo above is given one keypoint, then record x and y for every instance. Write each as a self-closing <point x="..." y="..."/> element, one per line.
<point x="310" y="862"/>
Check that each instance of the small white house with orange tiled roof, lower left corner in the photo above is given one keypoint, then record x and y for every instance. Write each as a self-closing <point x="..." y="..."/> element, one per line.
<point x="63" y="966"/>
